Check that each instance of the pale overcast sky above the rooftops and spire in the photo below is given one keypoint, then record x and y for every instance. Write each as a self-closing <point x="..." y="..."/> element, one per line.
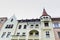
<point x="29" y="9"/>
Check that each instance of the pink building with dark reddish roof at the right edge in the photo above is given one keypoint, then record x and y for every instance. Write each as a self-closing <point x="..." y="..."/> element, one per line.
<point x="56" y="27"/>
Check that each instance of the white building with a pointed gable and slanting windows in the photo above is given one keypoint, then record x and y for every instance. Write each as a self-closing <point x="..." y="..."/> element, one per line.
<point x="8" y="28"/>
